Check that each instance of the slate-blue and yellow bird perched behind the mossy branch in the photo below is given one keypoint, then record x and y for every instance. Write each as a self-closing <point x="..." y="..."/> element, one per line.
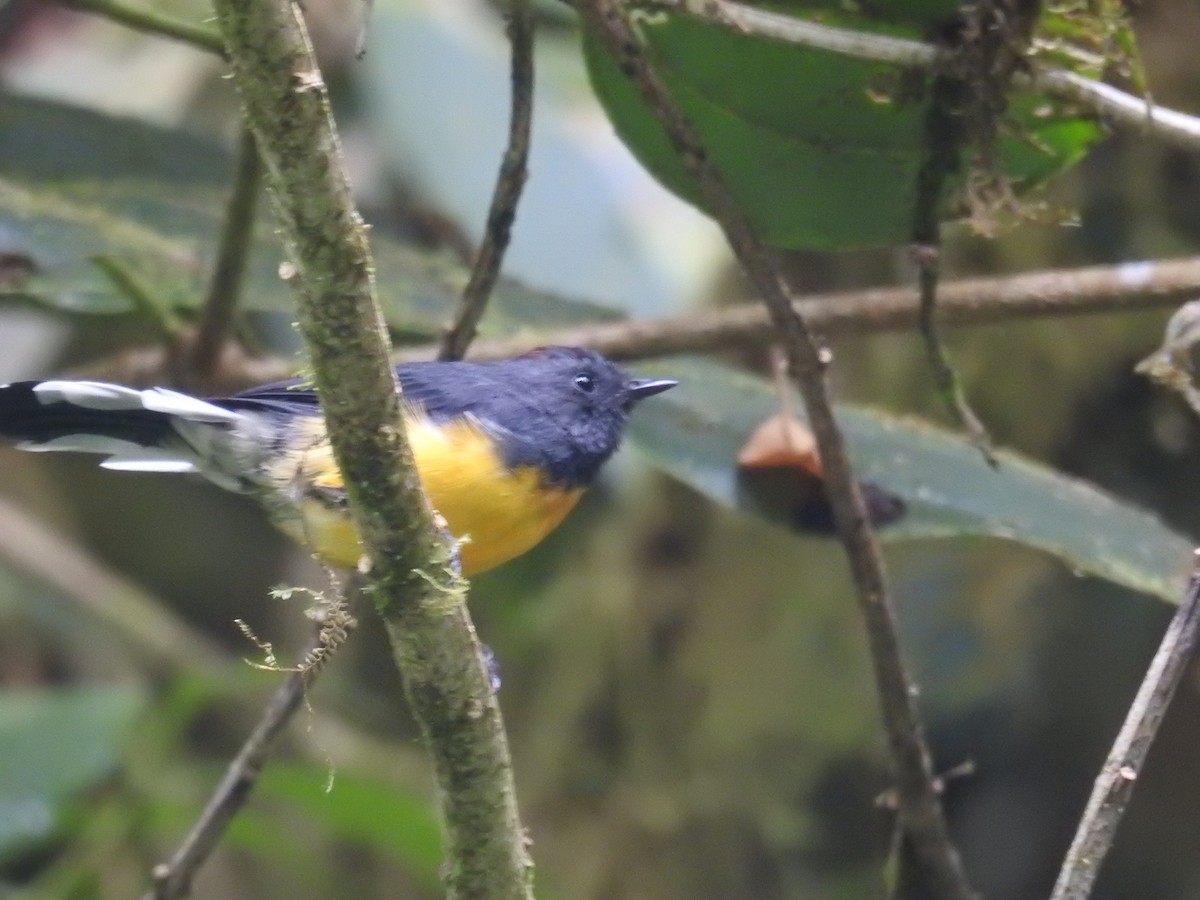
<point x="505" y="449"/>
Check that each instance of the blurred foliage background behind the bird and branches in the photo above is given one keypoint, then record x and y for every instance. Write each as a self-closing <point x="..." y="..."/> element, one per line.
<point x="686" y="688"/>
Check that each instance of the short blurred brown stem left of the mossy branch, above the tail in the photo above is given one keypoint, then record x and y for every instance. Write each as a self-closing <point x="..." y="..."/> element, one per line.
<point x="225" y="289"/>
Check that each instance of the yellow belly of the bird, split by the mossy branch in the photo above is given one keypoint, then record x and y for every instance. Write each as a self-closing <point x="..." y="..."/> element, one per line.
<point x="497" y="513"/>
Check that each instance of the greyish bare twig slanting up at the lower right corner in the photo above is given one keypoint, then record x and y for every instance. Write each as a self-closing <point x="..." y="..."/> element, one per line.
<point x="1119" y="776"/>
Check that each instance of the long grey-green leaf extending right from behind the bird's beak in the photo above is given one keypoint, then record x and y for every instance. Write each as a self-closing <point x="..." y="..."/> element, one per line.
<point x="949" y="490"/>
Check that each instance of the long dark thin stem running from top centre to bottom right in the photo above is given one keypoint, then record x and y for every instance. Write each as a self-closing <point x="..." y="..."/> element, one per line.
<point x="921" y="811"/>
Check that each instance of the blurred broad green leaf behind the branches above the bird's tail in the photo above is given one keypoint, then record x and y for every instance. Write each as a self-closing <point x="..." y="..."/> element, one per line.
<point x="129" y="199"/>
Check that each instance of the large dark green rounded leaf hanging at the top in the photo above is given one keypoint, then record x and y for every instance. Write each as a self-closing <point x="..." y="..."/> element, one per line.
<point x="821" y="151"/>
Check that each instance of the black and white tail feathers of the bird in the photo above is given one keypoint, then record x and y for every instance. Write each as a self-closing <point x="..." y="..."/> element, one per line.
<point x="153" y="430"/>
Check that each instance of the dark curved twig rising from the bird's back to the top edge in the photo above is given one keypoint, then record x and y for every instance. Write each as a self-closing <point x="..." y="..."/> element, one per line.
<point x="509" y="183"/>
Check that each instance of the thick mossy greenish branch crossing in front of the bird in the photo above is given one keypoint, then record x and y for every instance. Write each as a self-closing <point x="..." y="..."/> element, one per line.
<point x="409" y="561"/>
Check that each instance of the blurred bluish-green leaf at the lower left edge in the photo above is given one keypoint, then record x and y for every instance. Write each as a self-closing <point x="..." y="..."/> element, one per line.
<point x="55" y="743"/>
